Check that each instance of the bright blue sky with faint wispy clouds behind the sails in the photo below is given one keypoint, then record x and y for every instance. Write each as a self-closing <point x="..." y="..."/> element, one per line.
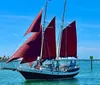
<point x="17" y="15"/>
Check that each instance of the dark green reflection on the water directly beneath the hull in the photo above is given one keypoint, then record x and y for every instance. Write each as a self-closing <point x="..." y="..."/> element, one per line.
<point x="73" y="81"/>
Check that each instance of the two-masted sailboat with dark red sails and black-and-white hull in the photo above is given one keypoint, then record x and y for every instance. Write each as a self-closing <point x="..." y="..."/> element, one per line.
<point x="40" y="48"/>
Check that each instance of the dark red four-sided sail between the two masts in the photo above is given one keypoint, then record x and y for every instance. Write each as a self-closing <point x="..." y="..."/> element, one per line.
<point x="49" y="44"/>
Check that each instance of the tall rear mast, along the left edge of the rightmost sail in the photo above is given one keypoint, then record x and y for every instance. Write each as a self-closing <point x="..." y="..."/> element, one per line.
<point x="61" y="29"/>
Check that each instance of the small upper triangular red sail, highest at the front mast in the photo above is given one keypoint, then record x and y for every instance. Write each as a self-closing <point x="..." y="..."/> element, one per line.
<point x="35" y="24"/>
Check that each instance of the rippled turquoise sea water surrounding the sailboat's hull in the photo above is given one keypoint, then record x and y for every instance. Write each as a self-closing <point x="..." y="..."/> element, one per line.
<point x="85" y="77"/>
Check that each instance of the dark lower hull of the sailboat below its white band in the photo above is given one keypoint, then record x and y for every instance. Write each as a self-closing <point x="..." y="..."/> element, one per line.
<point x="30" y="75"/>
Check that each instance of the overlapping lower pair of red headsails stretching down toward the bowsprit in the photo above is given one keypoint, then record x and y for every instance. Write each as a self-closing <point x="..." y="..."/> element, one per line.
<point x="30" y="49"/>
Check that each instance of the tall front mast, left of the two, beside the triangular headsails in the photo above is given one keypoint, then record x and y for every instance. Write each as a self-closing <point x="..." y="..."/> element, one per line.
<point x="43" y="29"/>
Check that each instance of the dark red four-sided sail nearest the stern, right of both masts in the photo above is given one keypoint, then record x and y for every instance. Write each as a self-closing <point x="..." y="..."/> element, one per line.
<point x="69" y="41"/>
